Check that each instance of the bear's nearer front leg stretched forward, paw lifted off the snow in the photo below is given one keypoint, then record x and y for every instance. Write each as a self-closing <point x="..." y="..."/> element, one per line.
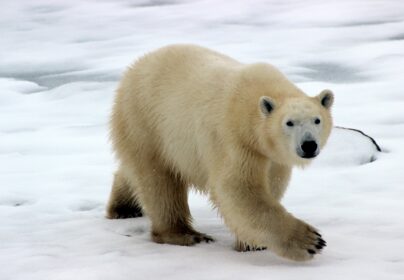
<point x="257" y="218"/>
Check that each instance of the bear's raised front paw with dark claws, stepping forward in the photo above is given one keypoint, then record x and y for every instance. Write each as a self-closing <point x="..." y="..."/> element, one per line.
<point x="302" y="243"/>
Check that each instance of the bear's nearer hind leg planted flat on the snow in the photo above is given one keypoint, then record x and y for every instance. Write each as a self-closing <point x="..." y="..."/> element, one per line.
<point x="164" y="197"/>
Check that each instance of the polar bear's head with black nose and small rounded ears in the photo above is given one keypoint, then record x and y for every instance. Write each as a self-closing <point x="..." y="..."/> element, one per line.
<point x="297" y="128"/>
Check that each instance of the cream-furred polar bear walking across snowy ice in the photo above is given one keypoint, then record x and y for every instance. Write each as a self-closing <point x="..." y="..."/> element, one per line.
<point x="187" y="116"/>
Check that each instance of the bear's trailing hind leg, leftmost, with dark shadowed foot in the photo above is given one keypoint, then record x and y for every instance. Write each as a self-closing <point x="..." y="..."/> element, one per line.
<point x="123" y="202"/>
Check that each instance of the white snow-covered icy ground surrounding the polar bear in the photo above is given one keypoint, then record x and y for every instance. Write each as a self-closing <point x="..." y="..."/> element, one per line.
<point x="59" y="65"/>
